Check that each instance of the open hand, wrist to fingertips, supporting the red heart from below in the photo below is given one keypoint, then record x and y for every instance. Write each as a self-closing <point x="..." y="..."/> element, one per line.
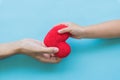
<point x="38" y="50"/>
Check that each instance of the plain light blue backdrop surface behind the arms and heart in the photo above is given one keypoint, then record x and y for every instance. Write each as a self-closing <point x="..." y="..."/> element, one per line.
<point x="90" y="59"/>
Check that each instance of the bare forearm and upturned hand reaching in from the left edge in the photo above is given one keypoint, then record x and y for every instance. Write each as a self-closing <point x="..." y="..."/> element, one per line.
<point x="30" y="47"/>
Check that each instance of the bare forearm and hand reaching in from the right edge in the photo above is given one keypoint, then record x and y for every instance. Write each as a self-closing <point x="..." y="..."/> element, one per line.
<point x="109" y="29"/>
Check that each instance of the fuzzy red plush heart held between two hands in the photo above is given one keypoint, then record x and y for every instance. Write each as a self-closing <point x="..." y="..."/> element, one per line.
<point x="54" y="39"/>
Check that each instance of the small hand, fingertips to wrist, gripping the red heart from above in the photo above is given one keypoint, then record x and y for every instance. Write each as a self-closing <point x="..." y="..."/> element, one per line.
<point x="75" y="30"/>
